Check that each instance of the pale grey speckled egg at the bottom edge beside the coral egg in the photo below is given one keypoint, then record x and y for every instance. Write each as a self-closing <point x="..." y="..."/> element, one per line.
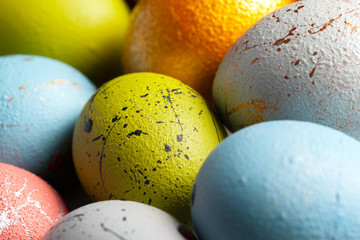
<point x="117" y="219"/>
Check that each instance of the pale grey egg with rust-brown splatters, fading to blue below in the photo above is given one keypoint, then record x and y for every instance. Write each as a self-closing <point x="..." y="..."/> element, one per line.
<point x="300" y="63"/>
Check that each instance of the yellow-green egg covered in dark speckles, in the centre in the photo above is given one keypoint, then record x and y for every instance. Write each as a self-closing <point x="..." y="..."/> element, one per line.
<point x="143" y="137"/>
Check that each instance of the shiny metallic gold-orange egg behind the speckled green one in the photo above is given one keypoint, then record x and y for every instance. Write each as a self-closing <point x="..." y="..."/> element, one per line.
<point x="187" y="39"/>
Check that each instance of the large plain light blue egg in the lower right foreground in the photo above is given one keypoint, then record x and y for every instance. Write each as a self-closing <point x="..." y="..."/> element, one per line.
<point x="280" y="180"/>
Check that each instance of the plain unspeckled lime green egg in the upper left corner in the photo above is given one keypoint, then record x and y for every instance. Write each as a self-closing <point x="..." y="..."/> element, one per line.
<point x="86" y="34"/>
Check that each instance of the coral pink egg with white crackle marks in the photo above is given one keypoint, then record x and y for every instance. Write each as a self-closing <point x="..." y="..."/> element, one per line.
<point x="28" y="205"/>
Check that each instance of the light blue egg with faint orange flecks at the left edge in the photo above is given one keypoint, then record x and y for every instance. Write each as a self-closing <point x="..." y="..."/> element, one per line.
<point x="40" y="101"/>
